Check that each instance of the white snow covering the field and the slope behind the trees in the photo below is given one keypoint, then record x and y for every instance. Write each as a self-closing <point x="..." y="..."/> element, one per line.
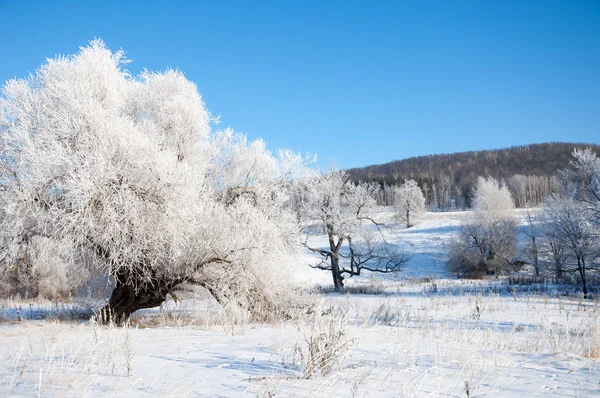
<point x="426" y="334"/>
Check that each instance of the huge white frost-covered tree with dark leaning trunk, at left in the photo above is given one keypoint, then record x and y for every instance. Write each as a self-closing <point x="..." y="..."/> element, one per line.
<point x="105" y="172"/>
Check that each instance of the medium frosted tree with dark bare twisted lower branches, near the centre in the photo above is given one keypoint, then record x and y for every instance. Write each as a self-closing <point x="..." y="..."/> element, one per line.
<point x="345" y="211"/>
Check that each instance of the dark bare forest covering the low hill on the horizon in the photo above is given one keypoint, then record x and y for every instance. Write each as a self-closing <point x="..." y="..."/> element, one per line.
<point x="447" y="180"/>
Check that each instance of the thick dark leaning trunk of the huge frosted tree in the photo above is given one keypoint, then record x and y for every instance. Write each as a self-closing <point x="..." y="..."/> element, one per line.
<point x="125" y="300"/>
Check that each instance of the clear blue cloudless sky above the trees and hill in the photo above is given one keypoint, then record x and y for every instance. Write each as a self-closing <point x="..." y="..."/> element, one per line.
<point x="359" y="82"/>
